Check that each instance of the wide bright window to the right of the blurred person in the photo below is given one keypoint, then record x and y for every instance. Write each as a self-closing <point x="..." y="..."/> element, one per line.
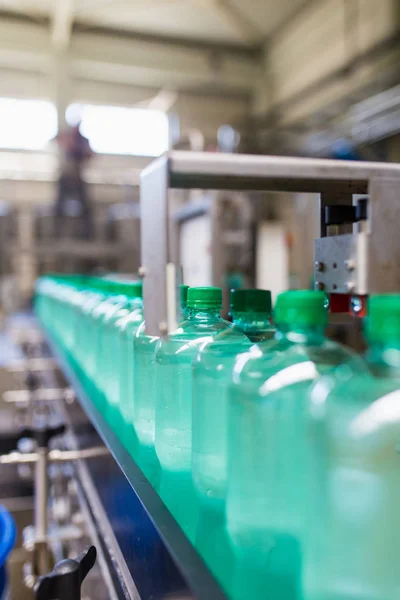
<point x="116" y="130"/>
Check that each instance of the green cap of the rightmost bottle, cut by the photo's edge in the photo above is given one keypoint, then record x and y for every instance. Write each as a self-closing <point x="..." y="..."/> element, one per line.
<point x="383" y="321"/>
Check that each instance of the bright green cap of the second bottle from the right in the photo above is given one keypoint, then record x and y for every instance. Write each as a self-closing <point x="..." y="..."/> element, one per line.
<point x="301" y="308"/>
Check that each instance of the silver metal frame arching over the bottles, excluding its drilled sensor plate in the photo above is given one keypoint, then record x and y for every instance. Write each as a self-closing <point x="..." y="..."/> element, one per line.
<point x="332" y="179"/>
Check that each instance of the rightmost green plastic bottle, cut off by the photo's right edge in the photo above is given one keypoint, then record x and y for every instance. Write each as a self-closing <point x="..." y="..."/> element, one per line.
<point x="352" y="550"/>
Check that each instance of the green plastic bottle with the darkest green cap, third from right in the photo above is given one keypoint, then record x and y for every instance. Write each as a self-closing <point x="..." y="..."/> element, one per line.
<point x="212" y="369"/>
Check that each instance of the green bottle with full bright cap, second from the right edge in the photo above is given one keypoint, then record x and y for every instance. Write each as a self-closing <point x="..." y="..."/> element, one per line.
<point x="267" y="415"/>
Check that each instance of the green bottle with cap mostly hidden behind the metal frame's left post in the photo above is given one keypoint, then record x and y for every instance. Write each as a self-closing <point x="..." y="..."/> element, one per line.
<point x="143" y="396"/>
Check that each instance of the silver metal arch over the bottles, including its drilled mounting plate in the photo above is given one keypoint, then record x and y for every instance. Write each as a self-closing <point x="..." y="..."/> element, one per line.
<point x="367" y="262"/>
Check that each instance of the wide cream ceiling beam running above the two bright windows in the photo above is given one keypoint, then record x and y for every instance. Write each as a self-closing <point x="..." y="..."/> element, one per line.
<point x="139" y="61"/>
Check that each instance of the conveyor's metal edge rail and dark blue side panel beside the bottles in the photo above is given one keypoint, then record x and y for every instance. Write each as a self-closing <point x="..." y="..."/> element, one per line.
<point x="152" y="556"/>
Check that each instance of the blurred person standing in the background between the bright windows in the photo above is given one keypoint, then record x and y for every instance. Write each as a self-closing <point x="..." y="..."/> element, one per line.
<point x="72" y="197"/>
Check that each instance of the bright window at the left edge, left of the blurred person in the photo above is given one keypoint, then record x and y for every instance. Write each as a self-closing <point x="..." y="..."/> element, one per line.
<point x="26" y="124"/>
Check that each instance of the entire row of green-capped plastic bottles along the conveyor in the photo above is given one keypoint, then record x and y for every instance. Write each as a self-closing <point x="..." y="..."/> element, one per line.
<point x="276" y="450"/>
